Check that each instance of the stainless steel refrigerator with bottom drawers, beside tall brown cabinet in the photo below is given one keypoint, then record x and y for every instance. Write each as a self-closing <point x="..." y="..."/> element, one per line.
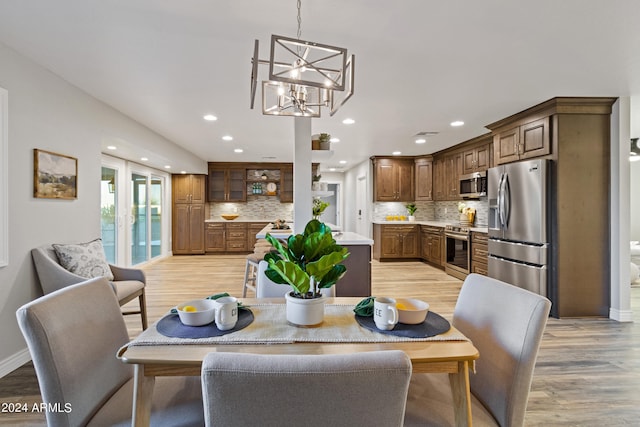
<point x="519" y="224"/>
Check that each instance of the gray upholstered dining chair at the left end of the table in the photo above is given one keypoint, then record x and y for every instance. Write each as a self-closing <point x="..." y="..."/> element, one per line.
<point x="73" y="335"/>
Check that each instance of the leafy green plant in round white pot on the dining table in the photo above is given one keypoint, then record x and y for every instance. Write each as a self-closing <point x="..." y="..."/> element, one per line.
<point x="307" y="263"/>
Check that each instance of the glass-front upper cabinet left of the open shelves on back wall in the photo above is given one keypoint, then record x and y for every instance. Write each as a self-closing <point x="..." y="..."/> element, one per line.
<point x="227" y="183"/>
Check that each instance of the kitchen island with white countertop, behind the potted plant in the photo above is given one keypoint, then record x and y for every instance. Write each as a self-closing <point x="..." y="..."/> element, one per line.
<point x="357" y="280"/>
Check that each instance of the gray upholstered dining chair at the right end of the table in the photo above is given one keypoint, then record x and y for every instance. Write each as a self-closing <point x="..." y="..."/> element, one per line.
<point x="506" y="324"/>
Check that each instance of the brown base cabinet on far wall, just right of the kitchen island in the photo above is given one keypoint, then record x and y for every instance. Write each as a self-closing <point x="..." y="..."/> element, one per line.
<point x="395" y="241"/>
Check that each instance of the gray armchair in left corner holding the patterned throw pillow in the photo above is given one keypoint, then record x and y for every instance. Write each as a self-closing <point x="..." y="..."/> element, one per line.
<point x="128" y="283"/>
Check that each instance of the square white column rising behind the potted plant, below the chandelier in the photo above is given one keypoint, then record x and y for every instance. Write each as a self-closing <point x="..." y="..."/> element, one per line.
<point x="302" y="199"/>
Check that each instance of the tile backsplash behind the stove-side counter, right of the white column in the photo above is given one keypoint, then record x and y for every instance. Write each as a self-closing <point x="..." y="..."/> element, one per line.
<point x="433" y="211"/>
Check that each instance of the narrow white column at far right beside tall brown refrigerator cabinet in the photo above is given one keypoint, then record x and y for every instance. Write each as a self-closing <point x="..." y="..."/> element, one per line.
<point x="620" y="308"/>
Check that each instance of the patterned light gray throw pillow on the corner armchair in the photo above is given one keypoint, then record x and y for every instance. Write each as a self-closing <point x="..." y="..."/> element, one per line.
<point x="84" y="259"/>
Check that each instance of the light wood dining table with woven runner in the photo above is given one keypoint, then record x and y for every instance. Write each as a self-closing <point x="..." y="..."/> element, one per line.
<point x="154" y="354"/>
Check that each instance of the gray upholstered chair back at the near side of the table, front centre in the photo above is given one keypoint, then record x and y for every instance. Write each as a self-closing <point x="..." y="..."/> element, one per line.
<point x="335" y="390"/>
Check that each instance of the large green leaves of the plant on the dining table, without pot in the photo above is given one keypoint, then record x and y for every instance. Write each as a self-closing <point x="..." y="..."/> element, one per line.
<point x="307" y="262"/>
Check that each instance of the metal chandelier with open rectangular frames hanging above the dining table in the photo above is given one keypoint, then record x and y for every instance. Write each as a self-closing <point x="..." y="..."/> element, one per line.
<point x="304" y="76"/>
